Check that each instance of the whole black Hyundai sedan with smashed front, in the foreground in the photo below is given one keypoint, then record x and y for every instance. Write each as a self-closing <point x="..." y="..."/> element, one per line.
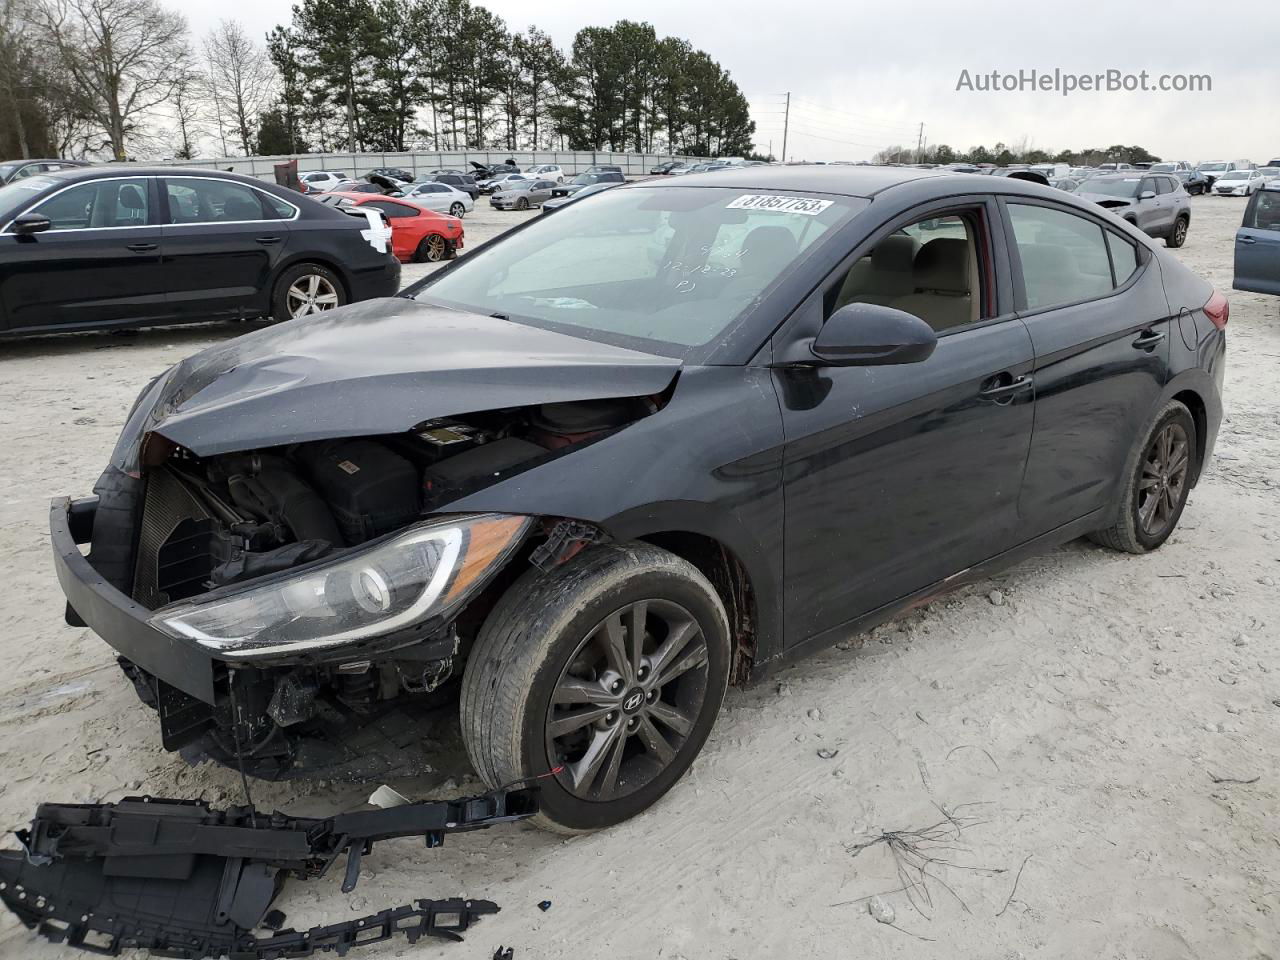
<point x="628" y="455"/>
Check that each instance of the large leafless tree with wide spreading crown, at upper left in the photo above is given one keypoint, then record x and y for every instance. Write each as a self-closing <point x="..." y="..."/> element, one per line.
<point x="122" y="58"/>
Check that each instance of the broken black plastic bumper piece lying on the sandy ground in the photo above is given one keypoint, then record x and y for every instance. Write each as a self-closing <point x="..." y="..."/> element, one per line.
<point x="189" y="881"/>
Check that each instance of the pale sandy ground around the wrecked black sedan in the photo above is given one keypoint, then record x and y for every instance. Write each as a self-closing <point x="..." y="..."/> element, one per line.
<point x="1081" y="708"/>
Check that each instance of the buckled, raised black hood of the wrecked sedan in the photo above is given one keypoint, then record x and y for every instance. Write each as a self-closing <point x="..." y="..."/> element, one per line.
<point x="376" y="368"/>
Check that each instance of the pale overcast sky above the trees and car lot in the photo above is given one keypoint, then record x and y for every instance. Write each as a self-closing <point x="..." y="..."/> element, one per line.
<point x="866" y="76"/>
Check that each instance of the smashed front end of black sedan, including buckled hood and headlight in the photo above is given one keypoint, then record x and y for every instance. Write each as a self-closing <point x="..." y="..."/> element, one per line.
<point x="272" y="550"/>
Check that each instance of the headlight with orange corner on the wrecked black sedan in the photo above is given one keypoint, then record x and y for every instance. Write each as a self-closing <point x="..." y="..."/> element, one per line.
<point x="428" y="570"/>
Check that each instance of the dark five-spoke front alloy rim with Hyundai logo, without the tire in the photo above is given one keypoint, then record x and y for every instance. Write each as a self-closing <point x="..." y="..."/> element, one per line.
<point x="628" y="700"/>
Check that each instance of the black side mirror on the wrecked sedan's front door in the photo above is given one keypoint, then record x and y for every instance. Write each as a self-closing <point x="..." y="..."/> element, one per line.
<point x="870" y="335"/>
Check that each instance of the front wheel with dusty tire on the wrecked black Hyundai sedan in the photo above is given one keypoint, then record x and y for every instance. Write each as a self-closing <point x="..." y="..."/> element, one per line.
<point x="547" y="642"/>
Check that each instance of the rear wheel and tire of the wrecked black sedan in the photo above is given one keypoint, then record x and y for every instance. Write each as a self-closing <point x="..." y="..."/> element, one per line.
<point x="1144" y="469"/>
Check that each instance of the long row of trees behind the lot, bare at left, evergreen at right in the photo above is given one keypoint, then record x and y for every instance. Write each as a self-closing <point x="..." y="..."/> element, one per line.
<point x="126" y="79"/>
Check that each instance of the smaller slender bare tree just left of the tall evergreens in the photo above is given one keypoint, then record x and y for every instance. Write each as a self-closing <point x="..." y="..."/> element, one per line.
<point x="241" y="81"/>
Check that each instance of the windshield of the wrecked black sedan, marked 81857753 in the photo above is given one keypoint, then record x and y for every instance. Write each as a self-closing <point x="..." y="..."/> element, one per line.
<point x="662" y="269"/>
